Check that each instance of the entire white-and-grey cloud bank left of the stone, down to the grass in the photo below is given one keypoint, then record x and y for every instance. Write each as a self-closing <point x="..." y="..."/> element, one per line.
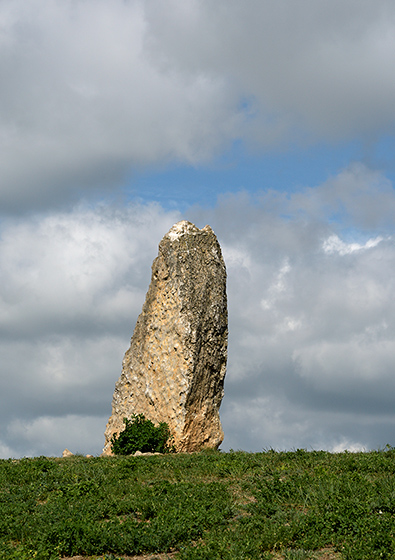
<point x="72" y="286"/>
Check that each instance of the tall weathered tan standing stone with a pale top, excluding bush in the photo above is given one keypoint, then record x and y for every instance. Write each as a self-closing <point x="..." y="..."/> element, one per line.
<point x="175" y="367"/>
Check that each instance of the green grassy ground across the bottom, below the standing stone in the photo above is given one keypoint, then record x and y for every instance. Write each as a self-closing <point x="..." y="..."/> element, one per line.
<point x="211" y="505"/>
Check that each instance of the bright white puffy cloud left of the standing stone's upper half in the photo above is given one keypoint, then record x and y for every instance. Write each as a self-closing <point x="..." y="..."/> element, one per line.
<point x="72" y="269"/>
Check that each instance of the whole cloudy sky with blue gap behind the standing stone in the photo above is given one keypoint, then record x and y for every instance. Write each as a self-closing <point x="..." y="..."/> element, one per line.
<point x="274" y="122"/>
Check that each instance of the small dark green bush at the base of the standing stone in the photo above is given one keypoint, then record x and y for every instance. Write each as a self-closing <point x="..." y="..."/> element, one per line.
<point x="140" y="434"/>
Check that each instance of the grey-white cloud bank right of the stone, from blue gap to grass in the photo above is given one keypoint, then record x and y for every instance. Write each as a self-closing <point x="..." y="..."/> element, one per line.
<point x="311" y="316"/>
